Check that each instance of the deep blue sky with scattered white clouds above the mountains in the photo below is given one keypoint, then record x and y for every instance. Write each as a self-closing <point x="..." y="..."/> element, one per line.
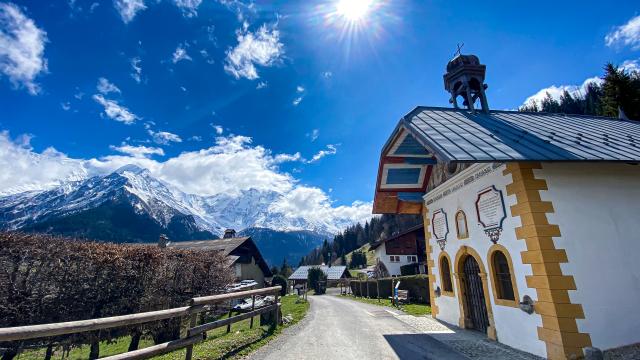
<point x="101" y="82"/>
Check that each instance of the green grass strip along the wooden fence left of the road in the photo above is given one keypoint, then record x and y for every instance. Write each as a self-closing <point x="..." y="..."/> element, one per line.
<point x="219" y="345"/>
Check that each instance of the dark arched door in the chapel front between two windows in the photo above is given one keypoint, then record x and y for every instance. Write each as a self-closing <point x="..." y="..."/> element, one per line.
<point x="474" y="296"/>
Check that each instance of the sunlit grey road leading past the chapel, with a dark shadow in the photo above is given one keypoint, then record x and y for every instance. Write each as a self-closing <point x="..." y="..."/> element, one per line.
<point x="337" y="328"/>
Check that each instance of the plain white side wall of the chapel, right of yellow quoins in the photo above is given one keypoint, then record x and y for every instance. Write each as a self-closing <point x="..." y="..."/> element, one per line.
<point x="597" y="207"/>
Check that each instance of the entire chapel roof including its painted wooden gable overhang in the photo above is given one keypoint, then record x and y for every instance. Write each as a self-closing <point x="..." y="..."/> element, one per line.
<point x="430" y="135"/>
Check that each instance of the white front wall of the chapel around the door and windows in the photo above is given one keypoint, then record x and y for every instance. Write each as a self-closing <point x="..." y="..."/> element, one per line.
<point x="514" y="327"/>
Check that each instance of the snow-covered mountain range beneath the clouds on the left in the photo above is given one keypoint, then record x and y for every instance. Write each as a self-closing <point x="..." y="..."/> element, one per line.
<point x="130" y="205"/>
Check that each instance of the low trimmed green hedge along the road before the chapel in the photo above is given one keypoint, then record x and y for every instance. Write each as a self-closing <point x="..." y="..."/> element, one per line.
<point x="418" y="286"/>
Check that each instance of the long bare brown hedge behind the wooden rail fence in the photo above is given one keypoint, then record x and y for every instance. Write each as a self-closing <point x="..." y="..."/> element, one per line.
<point x="45" y="279"/>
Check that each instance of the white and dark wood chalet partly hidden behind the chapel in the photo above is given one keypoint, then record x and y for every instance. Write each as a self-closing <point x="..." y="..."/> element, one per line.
<point x="404" y="249"/>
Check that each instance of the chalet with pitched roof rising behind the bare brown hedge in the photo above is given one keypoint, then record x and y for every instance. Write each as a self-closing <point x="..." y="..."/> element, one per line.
<point x="244" y="255"/>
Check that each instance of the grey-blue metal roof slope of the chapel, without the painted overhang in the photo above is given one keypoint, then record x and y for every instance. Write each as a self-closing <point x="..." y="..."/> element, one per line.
<point x="460" y="135"/>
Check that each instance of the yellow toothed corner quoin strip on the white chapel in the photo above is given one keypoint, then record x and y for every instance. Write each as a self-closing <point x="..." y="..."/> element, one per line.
<point x="559" y="328"/>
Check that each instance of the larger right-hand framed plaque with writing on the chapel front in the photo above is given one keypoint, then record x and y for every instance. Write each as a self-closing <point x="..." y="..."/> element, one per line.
<point x="491" y="212"/>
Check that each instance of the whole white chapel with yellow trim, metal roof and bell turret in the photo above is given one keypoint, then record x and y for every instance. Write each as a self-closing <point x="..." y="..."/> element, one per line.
<point x="531" y="219"/>
